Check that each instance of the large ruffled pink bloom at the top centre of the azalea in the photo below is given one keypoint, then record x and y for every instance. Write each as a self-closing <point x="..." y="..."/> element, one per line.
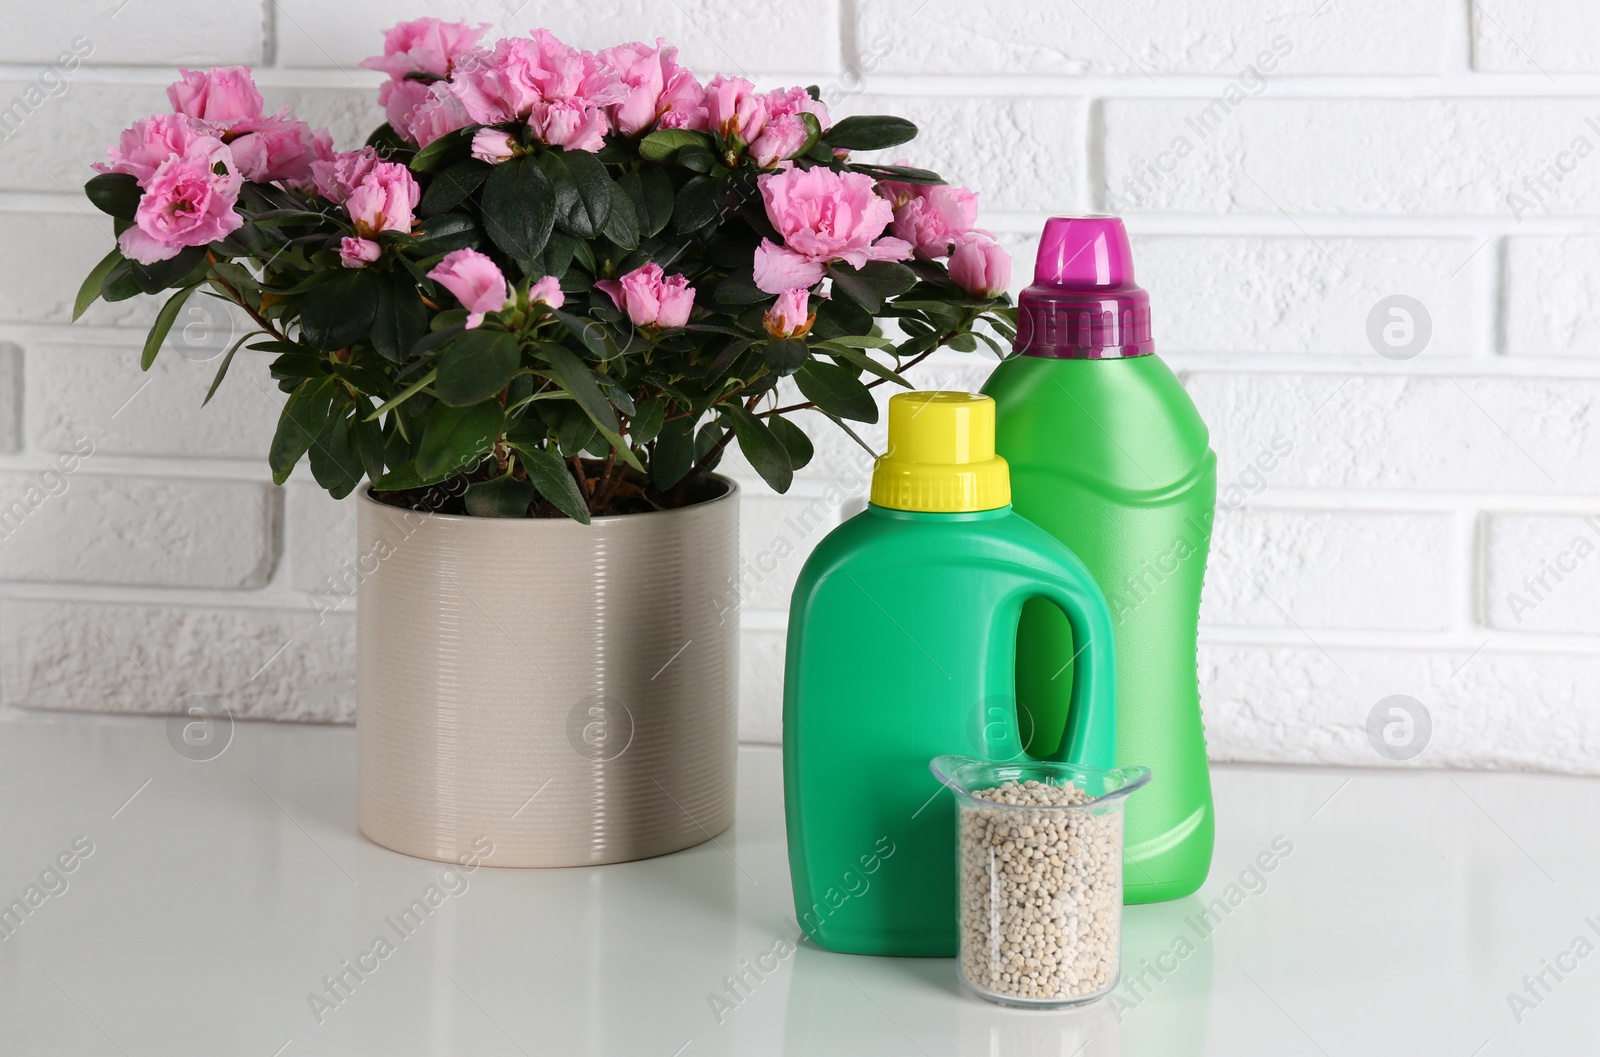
<point x="518" y="76"/>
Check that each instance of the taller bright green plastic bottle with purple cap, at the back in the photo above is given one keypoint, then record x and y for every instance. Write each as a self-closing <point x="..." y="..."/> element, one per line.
<point x="1111" y="457"/>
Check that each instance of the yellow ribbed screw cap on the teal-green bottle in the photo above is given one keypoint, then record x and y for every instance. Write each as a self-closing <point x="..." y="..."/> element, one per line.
<point x="942" y="455"/>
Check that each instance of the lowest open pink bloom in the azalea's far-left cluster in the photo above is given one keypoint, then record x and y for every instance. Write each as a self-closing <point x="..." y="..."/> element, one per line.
<point x="186" y="204"/>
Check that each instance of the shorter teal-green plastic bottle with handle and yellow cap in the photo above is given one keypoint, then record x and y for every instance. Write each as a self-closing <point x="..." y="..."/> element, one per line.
<point x="903" y="648"/>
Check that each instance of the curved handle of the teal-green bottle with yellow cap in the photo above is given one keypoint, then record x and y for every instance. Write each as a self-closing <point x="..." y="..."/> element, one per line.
<point x="1092" y="720"/>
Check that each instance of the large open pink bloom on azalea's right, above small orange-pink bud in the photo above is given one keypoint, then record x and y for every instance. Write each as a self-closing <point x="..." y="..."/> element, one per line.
<point x="823" y="217"/>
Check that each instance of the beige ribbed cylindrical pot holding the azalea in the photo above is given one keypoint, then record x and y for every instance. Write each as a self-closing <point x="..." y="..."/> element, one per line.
<point x="566" y="693"/>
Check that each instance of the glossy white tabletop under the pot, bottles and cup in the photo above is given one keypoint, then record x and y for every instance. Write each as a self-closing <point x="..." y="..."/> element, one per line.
<point x="220" y="895"/>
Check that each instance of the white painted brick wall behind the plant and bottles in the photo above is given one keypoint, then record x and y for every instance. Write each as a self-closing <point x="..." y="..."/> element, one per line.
<point x="1286" y="170"/>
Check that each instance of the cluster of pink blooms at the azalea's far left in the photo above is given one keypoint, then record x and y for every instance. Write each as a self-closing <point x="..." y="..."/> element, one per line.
<point x="193" y="162"/>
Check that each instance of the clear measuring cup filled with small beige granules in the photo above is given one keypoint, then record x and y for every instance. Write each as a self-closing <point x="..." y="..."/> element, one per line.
<point x="1039" y="879"/>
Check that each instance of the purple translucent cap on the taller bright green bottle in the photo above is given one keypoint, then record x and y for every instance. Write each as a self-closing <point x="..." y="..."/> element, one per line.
<point x="1084" y="303"/>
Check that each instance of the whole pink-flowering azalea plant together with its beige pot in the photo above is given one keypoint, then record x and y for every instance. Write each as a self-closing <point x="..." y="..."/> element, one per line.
<point x="527" y="321"/>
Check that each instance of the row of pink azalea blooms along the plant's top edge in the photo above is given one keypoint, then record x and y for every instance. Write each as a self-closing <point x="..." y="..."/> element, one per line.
<point x="441" y="79"/>
